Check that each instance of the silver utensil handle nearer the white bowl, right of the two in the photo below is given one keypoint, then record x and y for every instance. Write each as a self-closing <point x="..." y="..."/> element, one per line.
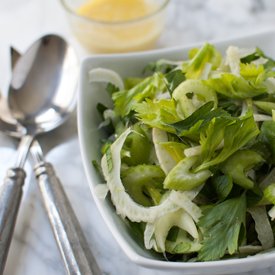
<point x="70" y="238"/>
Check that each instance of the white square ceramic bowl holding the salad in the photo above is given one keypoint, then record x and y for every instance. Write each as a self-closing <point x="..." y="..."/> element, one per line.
<point x="90" y="94"/>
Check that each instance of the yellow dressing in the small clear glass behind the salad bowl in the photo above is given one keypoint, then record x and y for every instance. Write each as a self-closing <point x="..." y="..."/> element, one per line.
<point x="113" y="26"/>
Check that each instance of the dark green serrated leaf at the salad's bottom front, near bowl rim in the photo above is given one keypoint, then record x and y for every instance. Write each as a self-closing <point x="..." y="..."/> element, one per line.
<point x="227" y="228"/>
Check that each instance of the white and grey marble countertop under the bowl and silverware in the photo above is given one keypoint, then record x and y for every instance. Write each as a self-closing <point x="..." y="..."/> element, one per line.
<point x="34" y="250"/>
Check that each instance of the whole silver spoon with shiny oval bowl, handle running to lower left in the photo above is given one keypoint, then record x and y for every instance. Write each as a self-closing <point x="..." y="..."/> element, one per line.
<point x="37" y="99"/>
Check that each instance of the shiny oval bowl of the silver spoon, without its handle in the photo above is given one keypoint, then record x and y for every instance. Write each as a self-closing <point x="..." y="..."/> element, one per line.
<point x="42" y="90"/>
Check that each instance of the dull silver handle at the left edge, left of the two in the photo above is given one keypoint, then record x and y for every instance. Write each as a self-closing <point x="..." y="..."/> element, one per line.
<point x="10" y="199"/>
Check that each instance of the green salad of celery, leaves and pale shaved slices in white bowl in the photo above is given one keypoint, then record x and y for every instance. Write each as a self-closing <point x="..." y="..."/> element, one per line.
<point x="190" y="158"/>
